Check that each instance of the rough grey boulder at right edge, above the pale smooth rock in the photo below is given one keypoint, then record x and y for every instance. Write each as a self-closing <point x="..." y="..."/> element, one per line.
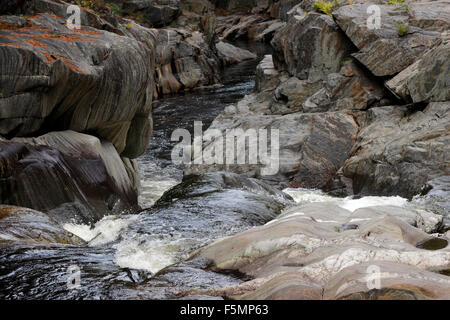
<point x="397" y="153"/>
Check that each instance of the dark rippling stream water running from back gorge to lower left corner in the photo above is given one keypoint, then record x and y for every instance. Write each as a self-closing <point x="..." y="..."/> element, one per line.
<point x="120" y="267"/>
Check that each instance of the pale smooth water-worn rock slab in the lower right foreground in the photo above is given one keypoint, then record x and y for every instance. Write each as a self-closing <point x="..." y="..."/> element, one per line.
<point x="315" y="248"/>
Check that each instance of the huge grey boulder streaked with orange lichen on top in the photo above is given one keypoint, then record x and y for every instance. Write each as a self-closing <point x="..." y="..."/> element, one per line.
<point x="55" y="78"/>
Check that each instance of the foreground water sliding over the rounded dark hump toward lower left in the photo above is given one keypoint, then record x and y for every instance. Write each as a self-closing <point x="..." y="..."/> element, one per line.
<point x="144" y="261"/>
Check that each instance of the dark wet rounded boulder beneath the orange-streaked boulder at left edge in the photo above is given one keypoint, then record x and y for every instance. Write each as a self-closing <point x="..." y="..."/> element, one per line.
<point x="68" y="175"/>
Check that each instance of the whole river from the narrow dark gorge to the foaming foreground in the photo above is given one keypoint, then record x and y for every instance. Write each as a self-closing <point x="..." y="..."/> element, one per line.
<point x="124" y="250"/>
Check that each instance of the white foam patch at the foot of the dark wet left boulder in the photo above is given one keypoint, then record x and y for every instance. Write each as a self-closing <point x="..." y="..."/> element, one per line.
<point x="105" y="230"/>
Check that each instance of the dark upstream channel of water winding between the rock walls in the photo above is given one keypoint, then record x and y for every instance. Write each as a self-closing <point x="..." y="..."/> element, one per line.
<point x="180" y="111"/>
